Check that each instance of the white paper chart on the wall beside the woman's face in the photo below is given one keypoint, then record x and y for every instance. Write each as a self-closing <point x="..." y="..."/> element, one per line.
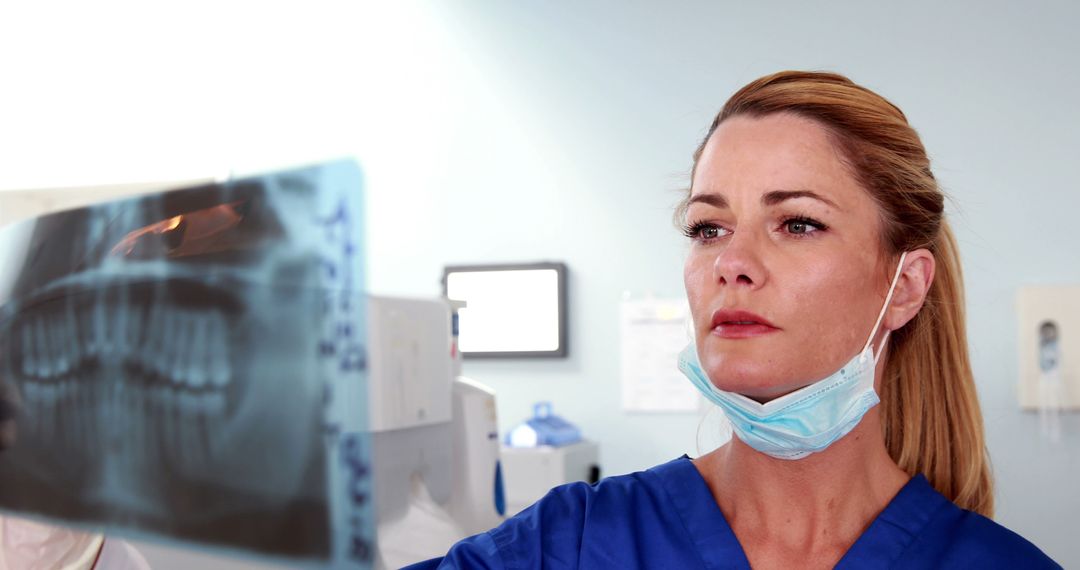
<point x="653" y="334"/>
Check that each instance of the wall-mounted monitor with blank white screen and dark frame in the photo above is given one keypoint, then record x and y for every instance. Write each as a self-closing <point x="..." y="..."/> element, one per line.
<point x="514" y="311"/>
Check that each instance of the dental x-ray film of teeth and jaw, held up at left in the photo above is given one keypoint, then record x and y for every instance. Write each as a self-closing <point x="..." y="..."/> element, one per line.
<point x="193" y="364"/>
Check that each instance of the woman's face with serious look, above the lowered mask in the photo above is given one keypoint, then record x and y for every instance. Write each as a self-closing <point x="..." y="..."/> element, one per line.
<point x="782" y="230"/>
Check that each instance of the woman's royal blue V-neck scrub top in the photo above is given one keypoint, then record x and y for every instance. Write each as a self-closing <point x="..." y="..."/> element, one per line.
<point x="666" y="518"/>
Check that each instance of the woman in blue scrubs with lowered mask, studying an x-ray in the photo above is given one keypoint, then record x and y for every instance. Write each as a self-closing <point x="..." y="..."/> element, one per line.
<point x="821" y="276"/>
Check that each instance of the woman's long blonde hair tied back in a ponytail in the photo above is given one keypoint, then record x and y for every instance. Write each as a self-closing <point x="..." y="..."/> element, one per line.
<point x="930" y="414"/>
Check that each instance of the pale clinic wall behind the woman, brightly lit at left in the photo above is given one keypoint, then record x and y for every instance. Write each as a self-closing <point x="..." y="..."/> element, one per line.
<point x="528" y="131"/>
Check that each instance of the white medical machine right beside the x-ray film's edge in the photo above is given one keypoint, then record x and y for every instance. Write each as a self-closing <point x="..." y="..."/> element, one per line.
<point x="435" y="436"/>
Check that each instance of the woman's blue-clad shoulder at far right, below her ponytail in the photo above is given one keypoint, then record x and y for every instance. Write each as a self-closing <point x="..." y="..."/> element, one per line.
<point x="973" y="540"/>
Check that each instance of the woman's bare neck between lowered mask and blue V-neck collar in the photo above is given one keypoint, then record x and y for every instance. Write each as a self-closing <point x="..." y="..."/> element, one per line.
<point x="820" y="504"/>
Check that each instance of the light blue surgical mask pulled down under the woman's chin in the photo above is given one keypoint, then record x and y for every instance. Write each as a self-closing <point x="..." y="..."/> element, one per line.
<point x="809" y="419"/>
